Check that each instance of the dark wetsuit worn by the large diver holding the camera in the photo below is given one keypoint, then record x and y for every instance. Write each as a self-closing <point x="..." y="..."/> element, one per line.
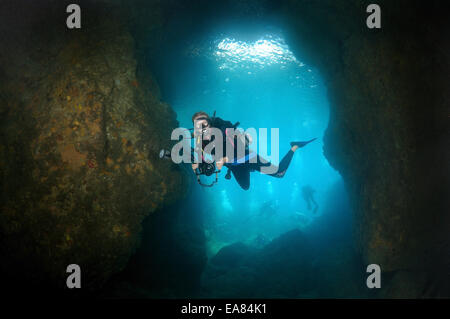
<point x="241" y="171"/>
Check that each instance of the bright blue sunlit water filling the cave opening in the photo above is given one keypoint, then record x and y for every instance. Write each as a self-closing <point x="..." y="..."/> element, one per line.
<point x="256" y="79"/>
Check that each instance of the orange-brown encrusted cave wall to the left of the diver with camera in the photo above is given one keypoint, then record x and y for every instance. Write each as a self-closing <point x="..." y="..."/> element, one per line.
<point x="81" y="128"/>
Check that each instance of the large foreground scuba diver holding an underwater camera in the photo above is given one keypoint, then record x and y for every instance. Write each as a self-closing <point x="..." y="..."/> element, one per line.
<point x="240" y="168"/>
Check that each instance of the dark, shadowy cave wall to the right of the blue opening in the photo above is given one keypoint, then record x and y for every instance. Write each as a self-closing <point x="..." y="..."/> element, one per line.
<point x="387" y="134"/>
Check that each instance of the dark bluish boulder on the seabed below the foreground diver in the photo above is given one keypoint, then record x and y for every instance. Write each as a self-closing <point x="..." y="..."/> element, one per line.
<point x="282" y="269"/>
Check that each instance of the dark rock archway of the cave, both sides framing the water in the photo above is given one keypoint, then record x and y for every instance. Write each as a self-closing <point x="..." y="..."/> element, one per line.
<point x="82" y="121"/>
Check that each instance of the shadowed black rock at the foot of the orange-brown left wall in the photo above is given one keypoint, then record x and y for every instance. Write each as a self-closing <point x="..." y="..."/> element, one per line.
<point x="170" y="259"/>
